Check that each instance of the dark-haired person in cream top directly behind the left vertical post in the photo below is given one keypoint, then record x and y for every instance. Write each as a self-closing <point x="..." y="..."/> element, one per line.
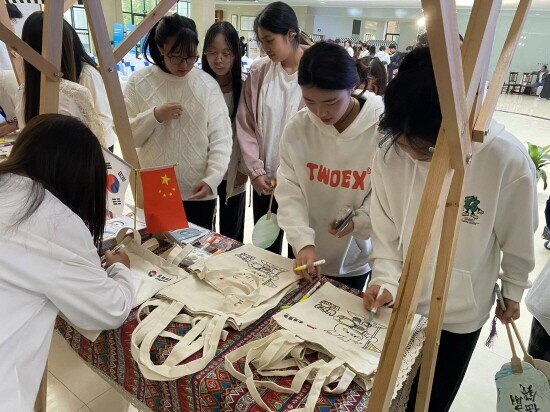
<point x="74" y="99"/>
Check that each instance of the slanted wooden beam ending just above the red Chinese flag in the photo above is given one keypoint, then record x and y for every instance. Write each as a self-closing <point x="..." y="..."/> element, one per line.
<point x="107" y="68"/>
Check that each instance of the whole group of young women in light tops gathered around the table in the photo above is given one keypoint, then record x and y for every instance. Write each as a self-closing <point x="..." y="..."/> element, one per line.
<point x="298" y="119"/>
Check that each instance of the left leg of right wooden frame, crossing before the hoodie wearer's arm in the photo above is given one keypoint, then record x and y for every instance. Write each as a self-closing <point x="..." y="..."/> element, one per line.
<point x="414" y="269"/>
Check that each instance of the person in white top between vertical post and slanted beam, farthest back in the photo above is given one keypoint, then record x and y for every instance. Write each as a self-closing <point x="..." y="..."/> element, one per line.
<point x="87" y="75"/>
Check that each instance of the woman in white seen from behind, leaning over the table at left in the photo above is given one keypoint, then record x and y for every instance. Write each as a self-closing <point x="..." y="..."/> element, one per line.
<point x="52" y="216"/>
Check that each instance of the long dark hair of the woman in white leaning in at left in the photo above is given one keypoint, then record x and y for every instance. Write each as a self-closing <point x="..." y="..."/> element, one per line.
<point x="60" y="154"/>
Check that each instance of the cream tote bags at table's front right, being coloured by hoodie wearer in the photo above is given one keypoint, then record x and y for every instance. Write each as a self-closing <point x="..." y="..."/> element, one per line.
<point x="333" y="323"/>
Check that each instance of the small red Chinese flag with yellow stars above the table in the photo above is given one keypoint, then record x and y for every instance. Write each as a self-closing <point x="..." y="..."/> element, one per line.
<point x="162" y="200"/>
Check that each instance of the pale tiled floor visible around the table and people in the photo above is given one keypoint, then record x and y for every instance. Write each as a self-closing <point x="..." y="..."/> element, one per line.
<point x="72" y="386"/>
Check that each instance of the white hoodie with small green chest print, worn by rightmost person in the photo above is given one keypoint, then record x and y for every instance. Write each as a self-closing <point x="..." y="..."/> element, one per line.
<point x="499" y="217"/>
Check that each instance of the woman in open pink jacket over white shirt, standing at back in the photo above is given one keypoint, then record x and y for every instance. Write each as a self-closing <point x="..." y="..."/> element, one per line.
<point x="271" y="95"/>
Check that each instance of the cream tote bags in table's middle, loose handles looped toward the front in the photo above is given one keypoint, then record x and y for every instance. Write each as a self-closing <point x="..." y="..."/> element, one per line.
<point x="233" y="289"/>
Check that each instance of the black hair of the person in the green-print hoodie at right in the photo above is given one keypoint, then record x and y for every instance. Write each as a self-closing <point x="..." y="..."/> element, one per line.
<point x="412" y="104"/>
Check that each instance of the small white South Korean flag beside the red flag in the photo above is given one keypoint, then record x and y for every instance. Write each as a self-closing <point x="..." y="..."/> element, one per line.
<point x="118" y="178"/>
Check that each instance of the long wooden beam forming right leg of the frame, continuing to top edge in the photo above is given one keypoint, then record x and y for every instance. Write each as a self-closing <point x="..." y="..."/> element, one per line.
<point x="480" y="31"/>
